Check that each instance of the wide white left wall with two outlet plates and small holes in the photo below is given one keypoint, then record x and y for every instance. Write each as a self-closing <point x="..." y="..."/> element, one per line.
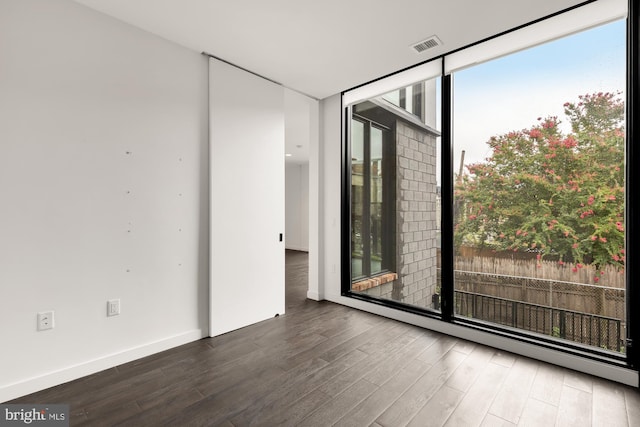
<point x="103" y="180"/>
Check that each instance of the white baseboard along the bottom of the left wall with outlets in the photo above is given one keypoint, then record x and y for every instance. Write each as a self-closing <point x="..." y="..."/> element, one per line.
<point x="61" y="376"/>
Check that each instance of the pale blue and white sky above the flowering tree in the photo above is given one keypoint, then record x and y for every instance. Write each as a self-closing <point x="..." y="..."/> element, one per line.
<point x="511" y="92"/>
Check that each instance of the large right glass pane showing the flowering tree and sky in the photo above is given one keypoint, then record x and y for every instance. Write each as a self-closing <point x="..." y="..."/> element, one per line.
<point x="539" y="189"/>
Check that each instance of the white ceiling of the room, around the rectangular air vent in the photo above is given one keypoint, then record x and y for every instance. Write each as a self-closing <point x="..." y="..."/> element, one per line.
<point x="322" y="47"/>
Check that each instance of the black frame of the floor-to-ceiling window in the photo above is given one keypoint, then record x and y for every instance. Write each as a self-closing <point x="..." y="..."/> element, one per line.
<point x="631" y="359"/>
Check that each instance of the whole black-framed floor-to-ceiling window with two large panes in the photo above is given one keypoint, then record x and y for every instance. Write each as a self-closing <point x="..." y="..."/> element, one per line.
<point x="531" y="165"/>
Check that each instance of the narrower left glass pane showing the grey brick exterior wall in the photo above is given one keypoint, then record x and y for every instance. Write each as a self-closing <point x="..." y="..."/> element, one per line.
<point x="401" y="201"/>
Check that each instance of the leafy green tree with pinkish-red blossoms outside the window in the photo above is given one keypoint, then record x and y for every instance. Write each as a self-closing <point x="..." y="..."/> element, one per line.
<point x="552" y="193"/>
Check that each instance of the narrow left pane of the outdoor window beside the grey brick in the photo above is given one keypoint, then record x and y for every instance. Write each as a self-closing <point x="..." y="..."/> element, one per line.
<point x="357" y="181"/>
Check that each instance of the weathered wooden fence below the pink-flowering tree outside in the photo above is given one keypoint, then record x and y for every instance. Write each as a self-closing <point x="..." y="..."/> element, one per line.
<point x="551" y="286"/>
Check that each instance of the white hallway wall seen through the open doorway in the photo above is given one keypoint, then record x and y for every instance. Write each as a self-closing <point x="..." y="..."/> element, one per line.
<point x="297" y="206"/>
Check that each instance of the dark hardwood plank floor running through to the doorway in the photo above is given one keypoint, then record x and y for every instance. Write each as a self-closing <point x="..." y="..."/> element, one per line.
<point x="323" y="364"/>
